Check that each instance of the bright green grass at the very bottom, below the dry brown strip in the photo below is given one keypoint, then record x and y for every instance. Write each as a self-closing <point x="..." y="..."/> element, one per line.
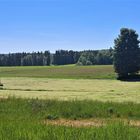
<point x="34" y="131"/>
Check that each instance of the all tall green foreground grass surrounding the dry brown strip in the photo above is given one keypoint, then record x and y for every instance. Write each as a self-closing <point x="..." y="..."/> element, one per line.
<point x="22" y="119"/>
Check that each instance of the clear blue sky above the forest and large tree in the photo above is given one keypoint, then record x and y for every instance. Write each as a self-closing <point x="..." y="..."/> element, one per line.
<point x="39" y="25"/>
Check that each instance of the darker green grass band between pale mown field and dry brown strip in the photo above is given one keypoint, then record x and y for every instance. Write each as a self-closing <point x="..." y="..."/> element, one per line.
<point x="34" y="109"/>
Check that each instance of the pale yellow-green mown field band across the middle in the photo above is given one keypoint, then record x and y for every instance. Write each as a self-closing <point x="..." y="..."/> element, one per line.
<point x="70" y="89"/>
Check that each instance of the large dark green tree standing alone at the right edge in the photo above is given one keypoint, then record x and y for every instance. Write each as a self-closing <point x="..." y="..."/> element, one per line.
<point x="126" y="53"/>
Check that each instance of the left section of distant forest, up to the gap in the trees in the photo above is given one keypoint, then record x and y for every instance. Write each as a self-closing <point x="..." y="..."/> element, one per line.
<point x="25" y="59"/>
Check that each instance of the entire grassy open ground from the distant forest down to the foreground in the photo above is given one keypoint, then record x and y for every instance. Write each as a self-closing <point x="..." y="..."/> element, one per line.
<point x="68" y="103"/>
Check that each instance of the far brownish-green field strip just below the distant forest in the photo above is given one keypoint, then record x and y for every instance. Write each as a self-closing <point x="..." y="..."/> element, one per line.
<point x="66" y="72"/>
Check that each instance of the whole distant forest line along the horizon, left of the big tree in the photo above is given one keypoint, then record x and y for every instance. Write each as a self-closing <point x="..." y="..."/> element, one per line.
<point x="60" y="57"/>
